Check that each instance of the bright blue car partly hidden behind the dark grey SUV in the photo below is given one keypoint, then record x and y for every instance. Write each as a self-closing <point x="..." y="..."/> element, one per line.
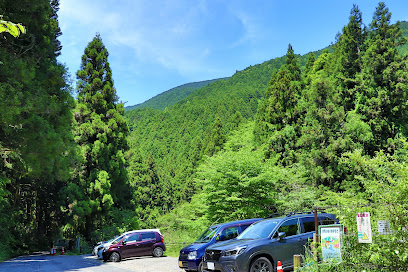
<point x="191" y="256"/>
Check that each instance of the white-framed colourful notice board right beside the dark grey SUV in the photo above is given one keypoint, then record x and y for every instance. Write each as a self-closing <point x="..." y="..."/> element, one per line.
<point x="330" y="241"/>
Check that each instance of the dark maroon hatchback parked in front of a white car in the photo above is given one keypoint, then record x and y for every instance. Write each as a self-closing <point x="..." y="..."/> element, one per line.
<point x="134" y="243"/>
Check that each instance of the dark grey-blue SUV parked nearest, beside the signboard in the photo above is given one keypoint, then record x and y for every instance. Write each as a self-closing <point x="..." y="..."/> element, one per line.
<point x="264" y="243"/>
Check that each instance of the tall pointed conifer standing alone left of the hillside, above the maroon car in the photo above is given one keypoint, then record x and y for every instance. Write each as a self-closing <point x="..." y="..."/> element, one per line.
<point x="101" y="134"/>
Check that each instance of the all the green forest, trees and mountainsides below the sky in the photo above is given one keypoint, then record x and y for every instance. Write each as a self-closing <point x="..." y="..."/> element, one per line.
<point x="326" y="129"/>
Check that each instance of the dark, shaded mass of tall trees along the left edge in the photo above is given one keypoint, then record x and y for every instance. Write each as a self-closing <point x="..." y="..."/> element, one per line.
<point x="36" y="140"/>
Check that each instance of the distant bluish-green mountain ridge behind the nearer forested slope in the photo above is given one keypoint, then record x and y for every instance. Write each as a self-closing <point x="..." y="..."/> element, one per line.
<point x="172" y="96"/>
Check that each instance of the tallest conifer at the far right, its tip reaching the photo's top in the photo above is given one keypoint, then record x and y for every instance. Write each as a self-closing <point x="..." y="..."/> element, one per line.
<point x="383" y="98"/>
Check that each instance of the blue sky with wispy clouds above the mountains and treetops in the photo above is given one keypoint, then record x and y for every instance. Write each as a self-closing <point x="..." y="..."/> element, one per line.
<point x="155" y="45"/>
